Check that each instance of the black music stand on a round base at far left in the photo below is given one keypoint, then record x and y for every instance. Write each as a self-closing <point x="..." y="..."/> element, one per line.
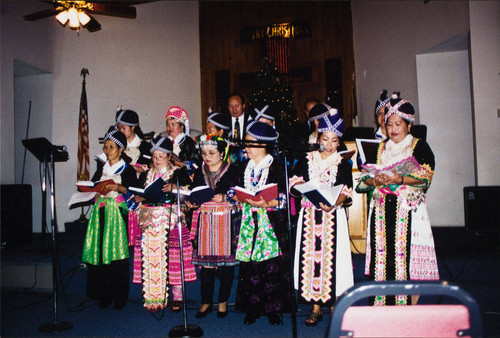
<point x="48" y="154"/>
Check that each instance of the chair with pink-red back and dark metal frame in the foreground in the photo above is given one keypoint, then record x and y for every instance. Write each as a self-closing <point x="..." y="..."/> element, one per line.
<point x="450" y="320"/>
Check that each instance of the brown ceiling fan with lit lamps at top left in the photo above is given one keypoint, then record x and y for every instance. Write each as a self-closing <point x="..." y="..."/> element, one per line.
<point x="79" y="13"/>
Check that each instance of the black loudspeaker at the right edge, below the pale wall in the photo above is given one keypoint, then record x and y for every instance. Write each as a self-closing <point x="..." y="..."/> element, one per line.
<point x="482" y="208"/>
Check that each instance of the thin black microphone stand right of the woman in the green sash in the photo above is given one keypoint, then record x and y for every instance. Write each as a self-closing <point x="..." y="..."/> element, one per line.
<point x="290" y="241"/>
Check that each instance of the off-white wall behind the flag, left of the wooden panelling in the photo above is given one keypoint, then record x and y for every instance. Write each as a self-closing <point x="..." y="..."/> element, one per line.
<point x="146" y="64"/>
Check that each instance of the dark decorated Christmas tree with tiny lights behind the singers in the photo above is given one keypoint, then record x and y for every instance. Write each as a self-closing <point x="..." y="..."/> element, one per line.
<point x="269" y="88"/>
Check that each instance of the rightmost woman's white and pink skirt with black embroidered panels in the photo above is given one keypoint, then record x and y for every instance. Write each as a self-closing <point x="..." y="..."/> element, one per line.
<point x="399" y="244"/>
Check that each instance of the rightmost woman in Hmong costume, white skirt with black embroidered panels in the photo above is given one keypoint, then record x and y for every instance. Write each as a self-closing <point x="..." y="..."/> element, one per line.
<point x="399" y="243"/>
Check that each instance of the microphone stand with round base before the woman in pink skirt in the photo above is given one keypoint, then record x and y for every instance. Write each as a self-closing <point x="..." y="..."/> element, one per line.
<point x="185" y="330"/>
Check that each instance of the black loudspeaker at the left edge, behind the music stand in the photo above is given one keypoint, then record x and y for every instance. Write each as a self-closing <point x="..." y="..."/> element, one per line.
<point x="17" y="215"/>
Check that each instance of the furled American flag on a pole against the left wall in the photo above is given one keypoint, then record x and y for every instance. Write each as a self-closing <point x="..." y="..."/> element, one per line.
<point x="83" y="135"/>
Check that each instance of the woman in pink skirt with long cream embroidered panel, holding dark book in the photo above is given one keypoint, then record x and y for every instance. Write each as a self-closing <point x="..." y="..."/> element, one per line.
<point x="160" y="235"/>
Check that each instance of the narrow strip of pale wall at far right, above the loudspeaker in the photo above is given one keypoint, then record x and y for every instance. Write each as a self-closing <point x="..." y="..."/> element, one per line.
<point x="485" y="56"/>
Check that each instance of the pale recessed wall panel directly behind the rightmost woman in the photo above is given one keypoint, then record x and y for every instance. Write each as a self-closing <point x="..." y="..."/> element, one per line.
<point x="445" y="108"/>
